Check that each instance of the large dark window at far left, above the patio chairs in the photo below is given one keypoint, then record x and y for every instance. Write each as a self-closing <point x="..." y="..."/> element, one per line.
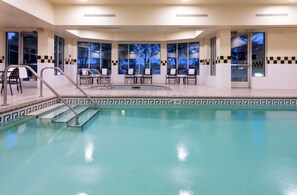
<point x="21" y="48"/>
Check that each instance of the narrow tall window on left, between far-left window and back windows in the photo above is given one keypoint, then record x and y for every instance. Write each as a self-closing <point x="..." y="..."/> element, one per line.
<point x="59" y="53"/>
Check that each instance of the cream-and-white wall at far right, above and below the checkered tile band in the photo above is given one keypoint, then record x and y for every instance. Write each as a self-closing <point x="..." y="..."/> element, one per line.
<point x="279" y="76"/>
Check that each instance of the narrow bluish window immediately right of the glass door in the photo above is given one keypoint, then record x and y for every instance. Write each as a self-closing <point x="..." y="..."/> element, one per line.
<point x="258" y="54"/>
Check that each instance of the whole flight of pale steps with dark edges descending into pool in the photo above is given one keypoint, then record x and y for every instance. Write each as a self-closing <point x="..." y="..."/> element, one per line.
<point x="62" y="114"/>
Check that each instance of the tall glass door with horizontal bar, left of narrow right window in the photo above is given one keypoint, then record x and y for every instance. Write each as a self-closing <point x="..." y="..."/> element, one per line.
<point x="240" y="64"/>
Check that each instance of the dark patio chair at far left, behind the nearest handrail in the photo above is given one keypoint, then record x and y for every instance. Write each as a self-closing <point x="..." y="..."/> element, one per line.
<point x="13" y="78"/>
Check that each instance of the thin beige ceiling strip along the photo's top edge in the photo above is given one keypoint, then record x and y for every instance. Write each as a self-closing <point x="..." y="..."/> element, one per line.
<point x="173" y="2"/>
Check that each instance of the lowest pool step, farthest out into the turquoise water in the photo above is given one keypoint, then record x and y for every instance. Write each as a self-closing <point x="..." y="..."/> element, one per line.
<point x="83" y="118"/>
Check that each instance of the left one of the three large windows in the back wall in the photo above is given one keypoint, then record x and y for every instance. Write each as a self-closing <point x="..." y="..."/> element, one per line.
<point x="94" y="55"/>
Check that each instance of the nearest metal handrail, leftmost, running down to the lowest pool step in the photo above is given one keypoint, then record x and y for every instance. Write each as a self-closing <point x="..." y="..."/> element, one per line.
<point x="41" y="80"/>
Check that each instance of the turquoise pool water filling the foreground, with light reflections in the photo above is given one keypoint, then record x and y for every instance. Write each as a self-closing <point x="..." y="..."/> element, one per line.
<point x="154" y="151"/>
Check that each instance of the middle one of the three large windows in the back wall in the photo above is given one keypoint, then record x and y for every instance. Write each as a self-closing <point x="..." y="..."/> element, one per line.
<point x="139" y="57"/>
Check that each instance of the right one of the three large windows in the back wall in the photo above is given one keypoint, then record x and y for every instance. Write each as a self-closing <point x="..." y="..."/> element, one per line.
<point x="183" y="56"/>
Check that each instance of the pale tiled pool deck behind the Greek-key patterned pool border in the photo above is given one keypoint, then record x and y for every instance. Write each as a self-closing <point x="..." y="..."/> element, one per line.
<point x="30" y="95"/>
